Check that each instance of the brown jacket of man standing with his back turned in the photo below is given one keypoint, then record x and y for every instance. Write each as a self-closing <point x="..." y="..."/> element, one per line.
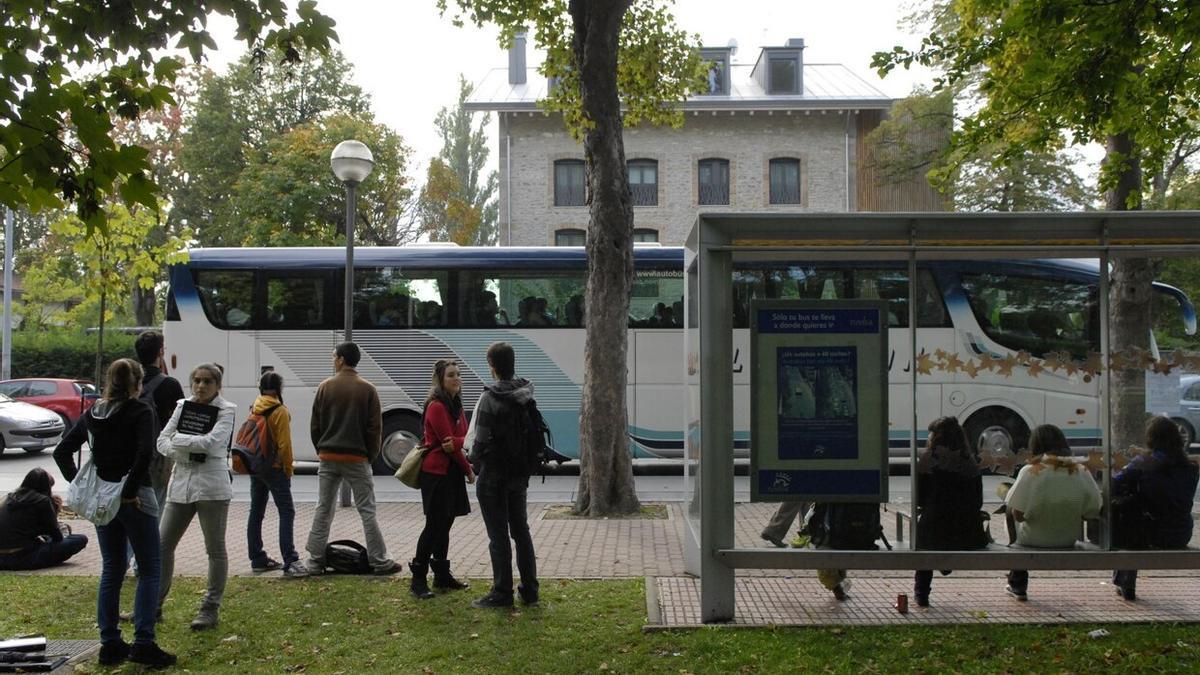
<point x="347" y="422"/>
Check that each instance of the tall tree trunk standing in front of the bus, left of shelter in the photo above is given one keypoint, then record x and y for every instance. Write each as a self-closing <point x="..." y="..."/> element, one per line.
<point x="607" y="474"/>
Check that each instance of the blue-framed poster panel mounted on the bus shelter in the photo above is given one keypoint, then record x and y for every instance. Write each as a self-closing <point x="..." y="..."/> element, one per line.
<point x="819" y="401"/>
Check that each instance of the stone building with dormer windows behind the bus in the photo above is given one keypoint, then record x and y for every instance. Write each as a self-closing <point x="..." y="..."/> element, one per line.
<point x="777" y="135"/>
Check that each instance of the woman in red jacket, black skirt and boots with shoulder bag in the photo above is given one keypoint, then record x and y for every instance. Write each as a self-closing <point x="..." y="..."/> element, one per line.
<point x="443" y="492"/>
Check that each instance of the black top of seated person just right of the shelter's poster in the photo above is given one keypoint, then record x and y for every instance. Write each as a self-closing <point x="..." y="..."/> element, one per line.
<point x="950" y="494"/>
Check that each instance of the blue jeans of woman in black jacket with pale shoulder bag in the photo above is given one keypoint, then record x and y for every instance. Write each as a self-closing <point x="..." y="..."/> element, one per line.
<point x="137" y="527"/>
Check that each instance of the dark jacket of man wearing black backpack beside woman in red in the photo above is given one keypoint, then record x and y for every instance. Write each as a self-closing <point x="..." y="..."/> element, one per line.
<point x="493" y="417"/>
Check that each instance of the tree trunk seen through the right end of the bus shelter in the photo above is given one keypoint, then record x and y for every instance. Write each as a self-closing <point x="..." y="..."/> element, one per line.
<point x="1130" y="308"/>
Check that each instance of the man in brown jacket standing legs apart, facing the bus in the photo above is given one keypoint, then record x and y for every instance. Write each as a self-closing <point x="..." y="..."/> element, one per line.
<point x="346" y="429"/>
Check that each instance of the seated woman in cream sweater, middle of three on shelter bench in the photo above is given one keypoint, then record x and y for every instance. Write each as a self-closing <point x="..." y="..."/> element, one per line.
<point x="1049" y="501"/>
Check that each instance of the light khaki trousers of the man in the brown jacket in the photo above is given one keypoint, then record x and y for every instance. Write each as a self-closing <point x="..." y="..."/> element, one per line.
<point x="358" y="476"/>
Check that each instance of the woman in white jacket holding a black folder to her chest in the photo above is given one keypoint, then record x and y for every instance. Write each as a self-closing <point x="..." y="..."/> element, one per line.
<point x="200" y="486"/>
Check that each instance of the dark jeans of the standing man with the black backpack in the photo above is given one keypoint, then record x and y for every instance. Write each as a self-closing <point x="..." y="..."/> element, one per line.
<point x="505" y="515"/>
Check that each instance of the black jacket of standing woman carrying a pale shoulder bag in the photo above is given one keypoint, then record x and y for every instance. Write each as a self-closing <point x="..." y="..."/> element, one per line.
<point x="124" y="440"/>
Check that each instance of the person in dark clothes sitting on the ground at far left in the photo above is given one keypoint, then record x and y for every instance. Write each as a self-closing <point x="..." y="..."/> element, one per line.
<point x="31" y="537"/>
